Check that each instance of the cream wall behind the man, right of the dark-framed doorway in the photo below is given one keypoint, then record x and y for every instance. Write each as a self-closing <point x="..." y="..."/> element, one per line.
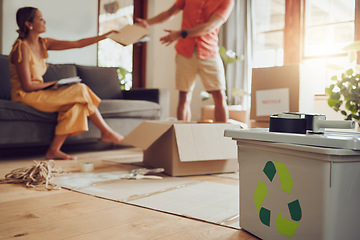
<point x="160" y="63"/>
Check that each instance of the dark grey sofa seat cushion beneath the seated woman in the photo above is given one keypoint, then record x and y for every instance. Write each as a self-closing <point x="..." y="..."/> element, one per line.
<point x="15" y="111"/>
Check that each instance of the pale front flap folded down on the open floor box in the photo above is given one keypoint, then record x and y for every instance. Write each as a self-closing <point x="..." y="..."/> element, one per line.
<point x="202" y="142"/>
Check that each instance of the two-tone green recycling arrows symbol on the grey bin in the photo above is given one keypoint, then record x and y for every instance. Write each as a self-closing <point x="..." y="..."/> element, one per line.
<point x="284" y="226"/>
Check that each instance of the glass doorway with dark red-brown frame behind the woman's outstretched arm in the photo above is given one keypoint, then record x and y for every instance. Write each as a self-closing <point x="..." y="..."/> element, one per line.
<point x="115" y="14"/>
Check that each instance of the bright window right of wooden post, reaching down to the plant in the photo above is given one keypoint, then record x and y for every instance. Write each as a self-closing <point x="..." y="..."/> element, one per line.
<point x="329" y="27"/>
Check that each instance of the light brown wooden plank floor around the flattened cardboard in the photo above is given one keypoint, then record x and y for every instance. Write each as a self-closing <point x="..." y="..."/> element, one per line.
<point x="64" y="214"/>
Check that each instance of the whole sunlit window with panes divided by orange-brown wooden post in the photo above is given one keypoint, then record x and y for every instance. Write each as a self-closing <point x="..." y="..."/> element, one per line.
<point x="311" y="32"/>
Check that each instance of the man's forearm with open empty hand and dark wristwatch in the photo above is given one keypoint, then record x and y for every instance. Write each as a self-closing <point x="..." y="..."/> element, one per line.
<point x="214" y="22"/>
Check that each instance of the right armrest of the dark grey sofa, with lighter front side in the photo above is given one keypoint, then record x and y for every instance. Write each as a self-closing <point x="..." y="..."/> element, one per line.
<point x="160" y="96"/>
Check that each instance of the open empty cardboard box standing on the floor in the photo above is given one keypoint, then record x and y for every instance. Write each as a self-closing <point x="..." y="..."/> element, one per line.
<point x="184" y="149"/>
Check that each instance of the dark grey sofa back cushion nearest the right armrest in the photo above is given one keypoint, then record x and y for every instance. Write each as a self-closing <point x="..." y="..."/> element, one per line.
<point x="103" y="81"/>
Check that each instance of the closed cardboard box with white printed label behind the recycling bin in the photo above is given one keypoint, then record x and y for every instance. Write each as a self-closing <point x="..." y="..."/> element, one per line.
<point x="281" y="89"/>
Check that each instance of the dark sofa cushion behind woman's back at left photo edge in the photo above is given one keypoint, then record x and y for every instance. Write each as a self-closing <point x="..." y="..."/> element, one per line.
<point x="5" y="90"/>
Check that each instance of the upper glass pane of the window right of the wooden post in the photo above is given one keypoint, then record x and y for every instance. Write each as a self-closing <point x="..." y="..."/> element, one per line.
<point x="329" y="26"/>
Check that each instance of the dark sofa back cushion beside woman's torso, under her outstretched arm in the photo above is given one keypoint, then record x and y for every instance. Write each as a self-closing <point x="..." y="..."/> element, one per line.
<point x="59" y="71"/>
